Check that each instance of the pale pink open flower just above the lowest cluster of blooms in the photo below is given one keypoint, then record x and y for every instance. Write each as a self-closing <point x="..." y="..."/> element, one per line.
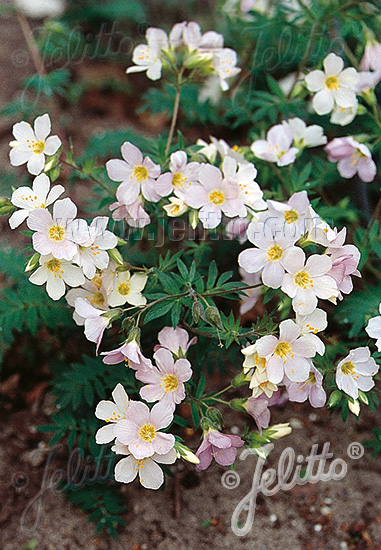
<point x="165" y="382"/>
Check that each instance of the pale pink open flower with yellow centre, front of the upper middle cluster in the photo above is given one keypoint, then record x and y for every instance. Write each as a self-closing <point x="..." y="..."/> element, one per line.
<point x="214" y="196"/>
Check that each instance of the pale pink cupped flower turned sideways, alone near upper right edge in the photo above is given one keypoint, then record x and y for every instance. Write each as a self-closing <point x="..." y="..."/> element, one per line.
<point x="352" y="157"/>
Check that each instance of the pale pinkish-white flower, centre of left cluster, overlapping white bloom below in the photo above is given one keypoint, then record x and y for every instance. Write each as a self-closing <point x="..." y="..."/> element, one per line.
<point x="58" y="235"/>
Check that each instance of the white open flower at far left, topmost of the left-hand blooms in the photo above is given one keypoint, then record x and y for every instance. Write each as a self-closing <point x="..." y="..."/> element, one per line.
<point x="31" y="146"/>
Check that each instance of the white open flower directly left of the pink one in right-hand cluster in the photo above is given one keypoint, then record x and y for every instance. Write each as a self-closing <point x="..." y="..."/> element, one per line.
<point x="305" y="282"/>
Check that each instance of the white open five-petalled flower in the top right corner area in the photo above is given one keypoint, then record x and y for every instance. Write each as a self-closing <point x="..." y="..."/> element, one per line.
<point x="333" y="86"/>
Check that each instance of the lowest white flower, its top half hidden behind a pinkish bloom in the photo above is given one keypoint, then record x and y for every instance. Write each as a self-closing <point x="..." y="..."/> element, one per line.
<point x="150" y="474"/>
